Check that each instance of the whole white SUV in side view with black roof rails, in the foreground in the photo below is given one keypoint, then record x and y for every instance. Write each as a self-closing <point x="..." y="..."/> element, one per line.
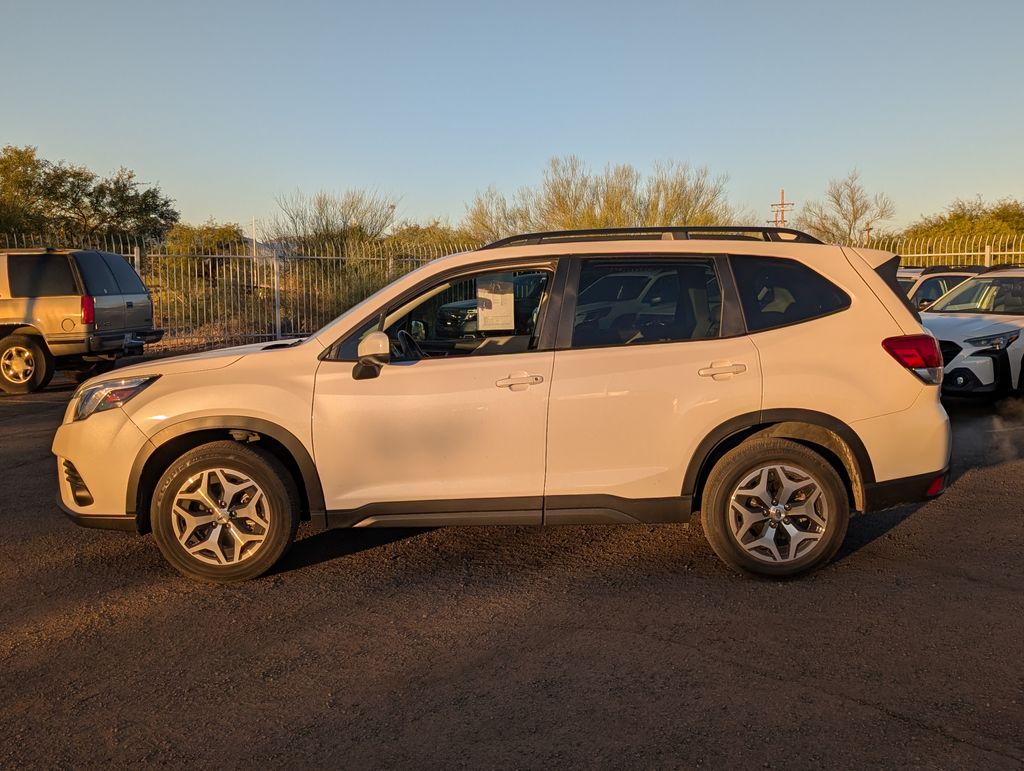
<point x="780" y="384"/>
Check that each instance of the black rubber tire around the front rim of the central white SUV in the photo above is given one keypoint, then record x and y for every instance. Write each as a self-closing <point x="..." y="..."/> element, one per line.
<point x="262" y="468"/>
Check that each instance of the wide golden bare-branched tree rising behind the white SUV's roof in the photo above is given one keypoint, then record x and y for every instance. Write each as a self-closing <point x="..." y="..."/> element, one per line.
<point x="572" y="197"/>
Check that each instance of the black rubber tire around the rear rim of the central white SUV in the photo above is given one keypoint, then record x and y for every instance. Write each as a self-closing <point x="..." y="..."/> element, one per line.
<point x="738" y="465"/>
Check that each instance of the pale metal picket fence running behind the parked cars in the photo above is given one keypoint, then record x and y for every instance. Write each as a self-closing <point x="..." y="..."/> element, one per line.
<point x="210" y="295"/>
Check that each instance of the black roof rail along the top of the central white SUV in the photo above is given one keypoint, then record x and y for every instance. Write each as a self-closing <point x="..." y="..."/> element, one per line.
<point x="733" y="233"/>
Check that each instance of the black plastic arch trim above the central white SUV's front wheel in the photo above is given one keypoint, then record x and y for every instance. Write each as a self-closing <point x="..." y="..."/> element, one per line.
<point x="311" y="478"/>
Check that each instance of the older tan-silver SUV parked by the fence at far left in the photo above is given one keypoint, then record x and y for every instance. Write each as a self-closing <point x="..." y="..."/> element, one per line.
<point x="68" y="310"/>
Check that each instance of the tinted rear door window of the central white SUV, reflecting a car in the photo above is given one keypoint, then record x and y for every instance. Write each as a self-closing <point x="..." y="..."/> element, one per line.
<point x="678" y="301"/>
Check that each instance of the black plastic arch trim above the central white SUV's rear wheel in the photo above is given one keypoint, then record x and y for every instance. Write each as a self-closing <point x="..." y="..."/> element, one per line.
<point x="797" y="424"/>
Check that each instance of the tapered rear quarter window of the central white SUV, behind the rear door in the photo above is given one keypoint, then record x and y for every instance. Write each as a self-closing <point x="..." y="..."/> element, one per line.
<point x="778" y="292"/>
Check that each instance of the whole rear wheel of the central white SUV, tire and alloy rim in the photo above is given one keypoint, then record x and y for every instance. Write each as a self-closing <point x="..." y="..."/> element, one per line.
<point x="774" y="507"/>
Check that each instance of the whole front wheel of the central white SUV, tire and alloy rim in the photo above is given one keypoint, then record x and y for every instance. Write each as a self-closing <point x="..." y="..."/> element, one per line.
<point x="225" y="512"/>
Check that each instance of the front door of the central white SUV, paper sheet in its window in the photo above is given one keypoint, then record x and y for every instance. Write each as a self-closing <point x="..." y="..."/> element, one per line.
<point x="454" y="427"/>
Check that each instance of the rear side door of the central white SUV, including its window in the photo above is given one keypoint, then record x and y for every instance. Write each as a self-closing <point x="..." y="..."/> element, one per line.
<point x="630" y="406"/>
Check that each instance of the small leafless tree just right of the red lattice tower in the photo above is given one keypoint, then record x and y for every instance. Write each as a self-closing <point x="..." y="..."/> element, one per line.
<point x="848" y="213"/>
